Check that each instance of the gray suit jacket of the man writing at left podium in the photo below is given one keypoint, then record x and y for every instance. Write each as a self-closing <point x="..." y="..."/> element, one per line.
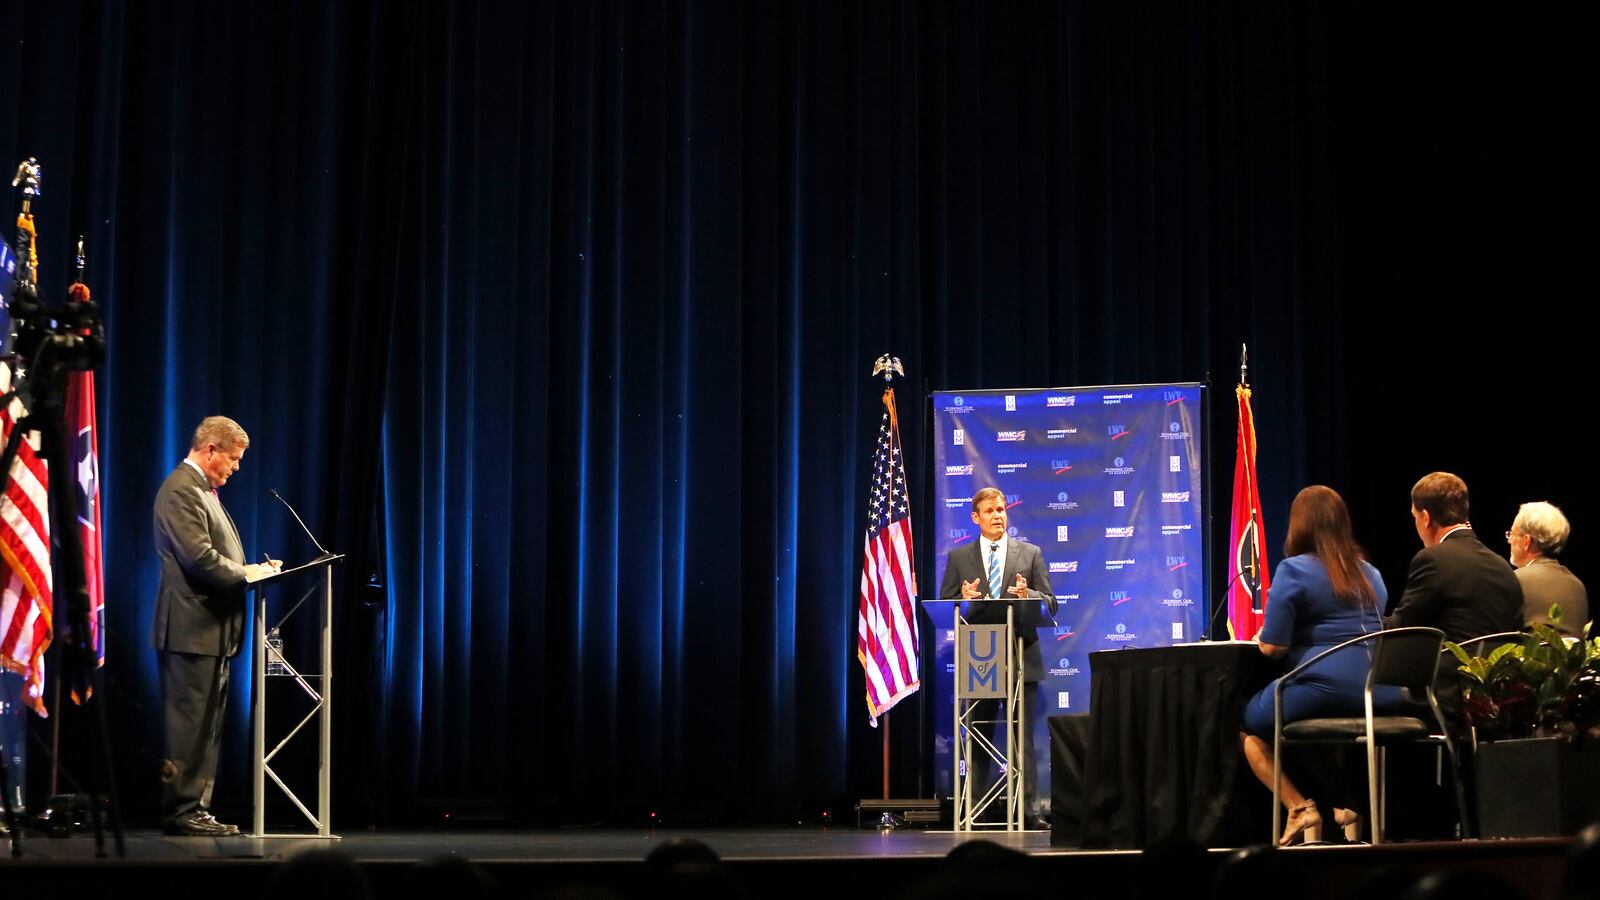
<point x="201" y="600"/>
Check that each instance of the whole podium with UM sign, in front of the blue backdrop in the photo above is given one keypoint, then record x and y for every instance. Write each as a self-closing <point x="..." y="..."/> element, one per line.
<point x="988" y="669"/>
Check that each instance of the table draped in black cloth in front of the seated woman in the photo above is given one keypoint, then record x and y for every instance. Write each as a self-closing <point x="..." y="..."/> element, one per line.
<point x="1162" y="755"/>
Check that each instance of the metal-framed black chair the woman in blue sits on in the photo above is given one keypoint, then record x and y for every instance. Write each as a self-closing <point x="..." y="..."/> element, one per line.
<point x="1402" y="657"/>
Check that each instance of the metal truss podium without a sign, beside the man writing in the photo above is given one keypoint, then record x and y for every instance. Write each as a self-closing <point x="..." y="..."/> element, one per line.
<point x="318" y="686"/>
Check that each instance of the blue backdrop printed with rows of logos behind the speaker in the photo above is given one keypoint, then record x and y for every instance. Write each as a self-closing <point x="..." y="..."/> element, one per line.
<point x="1108" y="484"/>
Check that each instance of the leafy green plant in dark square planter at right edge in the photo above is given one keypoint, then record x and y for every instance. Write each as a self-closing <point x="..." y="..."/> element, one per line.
<point x="1535" y="705"/>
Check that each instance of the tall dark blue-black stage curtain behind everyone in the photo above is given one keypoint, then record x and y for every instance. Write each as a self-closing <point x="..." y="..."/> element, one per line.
<point x="559" y="319"/>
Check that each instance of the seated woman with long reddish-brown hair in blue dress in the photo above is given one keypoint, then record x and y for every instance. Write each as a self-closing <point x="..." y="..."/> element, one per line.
<point x="1322" y="595"/>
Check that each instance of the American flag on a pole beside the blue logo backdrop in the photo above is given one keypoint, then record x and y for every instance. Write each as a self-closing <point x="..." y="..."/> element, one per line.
<point x="887" y="638"/>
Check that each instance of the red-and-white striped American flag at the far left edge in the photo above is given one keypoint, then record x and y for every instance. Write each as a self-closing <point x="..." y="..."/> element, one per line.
<point x="25" y="556"/>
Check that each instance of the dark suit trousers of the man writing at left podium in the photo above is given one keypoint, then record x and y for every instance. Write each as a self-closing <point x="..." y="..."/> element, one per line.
<point x="194" y="696"/>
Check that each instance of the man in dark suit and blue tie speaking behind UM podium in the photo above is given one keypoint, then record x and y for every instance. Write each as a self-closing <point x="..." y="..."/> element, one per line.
<point x="999" y="566"/>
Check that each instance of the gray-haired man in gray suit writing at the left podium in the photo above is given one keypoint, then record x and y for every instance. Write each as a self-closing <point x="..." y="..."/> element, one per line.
<point x="199" y="621"/>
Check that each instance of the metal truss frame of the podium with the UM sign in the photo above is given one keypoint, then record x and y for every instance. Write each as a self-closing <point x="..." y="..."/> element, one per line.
<point x="966" y="733"/>
